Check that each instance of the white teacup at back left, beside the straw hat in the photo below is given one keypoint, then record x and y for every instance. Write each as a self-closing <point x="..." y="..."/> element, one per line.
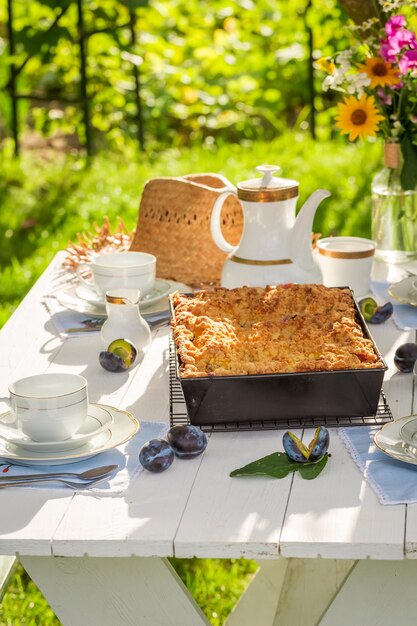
<point x="131" y="270"/>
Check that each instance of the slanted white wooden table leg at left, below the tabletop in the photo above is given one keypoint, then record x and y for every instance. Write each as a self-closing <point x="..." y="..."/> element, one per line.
<point x="114" y="591"/>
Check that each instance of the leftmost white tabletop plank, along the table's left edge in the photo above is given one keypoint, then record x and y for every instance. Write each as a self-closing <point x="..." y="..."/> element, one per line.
<point x="27" y="345"/>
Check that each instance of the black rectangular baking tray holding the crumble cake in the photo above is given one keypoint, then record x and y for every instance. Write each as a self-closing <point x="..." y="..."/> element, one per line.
<point x="243" y="399"/>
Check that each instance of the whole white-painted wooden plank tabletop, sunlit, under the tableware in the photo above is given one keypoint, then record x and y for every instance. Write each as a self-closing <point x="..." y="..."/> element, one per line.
<point x="195" y="508"/>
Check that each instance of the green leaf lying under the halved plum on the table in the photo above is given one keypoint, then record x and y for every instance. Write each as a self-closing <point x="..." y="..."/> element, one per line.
<point x="278" y="465"/>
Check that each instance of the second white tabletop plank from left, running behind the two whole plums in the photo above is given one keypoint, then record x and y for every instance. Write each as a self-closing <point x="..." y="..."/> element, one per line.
<point x="144" y="520"/>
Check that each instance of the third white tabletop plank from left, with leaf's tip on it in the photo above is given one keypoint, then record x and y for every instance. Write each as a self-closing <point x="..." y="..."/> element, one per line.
<point x="234" y="517"/>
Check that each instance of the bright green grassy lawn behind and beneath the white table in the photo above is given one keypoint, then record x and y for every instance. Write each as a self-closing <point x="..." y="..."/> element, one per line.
<point x="45" y="202"/>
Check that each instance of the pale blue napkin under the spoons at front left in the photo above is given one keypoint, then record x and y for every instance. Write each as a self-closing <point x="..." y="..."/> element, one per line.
<point x="125" y="456"/>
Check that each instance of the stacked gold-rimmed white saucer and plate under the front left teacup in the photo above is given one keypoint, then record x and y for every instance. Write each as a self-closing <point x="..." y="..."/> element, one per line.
<point x="105" y="428"/>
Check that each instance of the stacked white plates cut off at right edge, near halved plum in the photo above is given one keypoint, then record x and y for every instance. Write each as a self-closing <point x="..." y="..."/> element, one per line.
<point x="398" y="439"/>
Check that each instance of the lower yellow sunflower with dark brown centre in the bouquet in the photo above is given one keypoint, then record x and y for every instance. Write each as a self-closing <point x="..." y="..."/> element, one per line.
<point x="359" y="118"/>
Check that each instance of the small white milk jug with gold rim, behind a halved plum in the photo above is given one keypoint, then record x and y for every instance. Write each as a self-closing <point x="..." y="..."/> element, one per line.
<point x="124" y="320"/>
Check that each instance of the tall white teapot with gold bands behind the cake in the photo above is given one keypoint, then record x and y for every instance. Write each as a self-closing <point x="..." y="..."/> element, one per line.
<point x="275" y="246"/>
